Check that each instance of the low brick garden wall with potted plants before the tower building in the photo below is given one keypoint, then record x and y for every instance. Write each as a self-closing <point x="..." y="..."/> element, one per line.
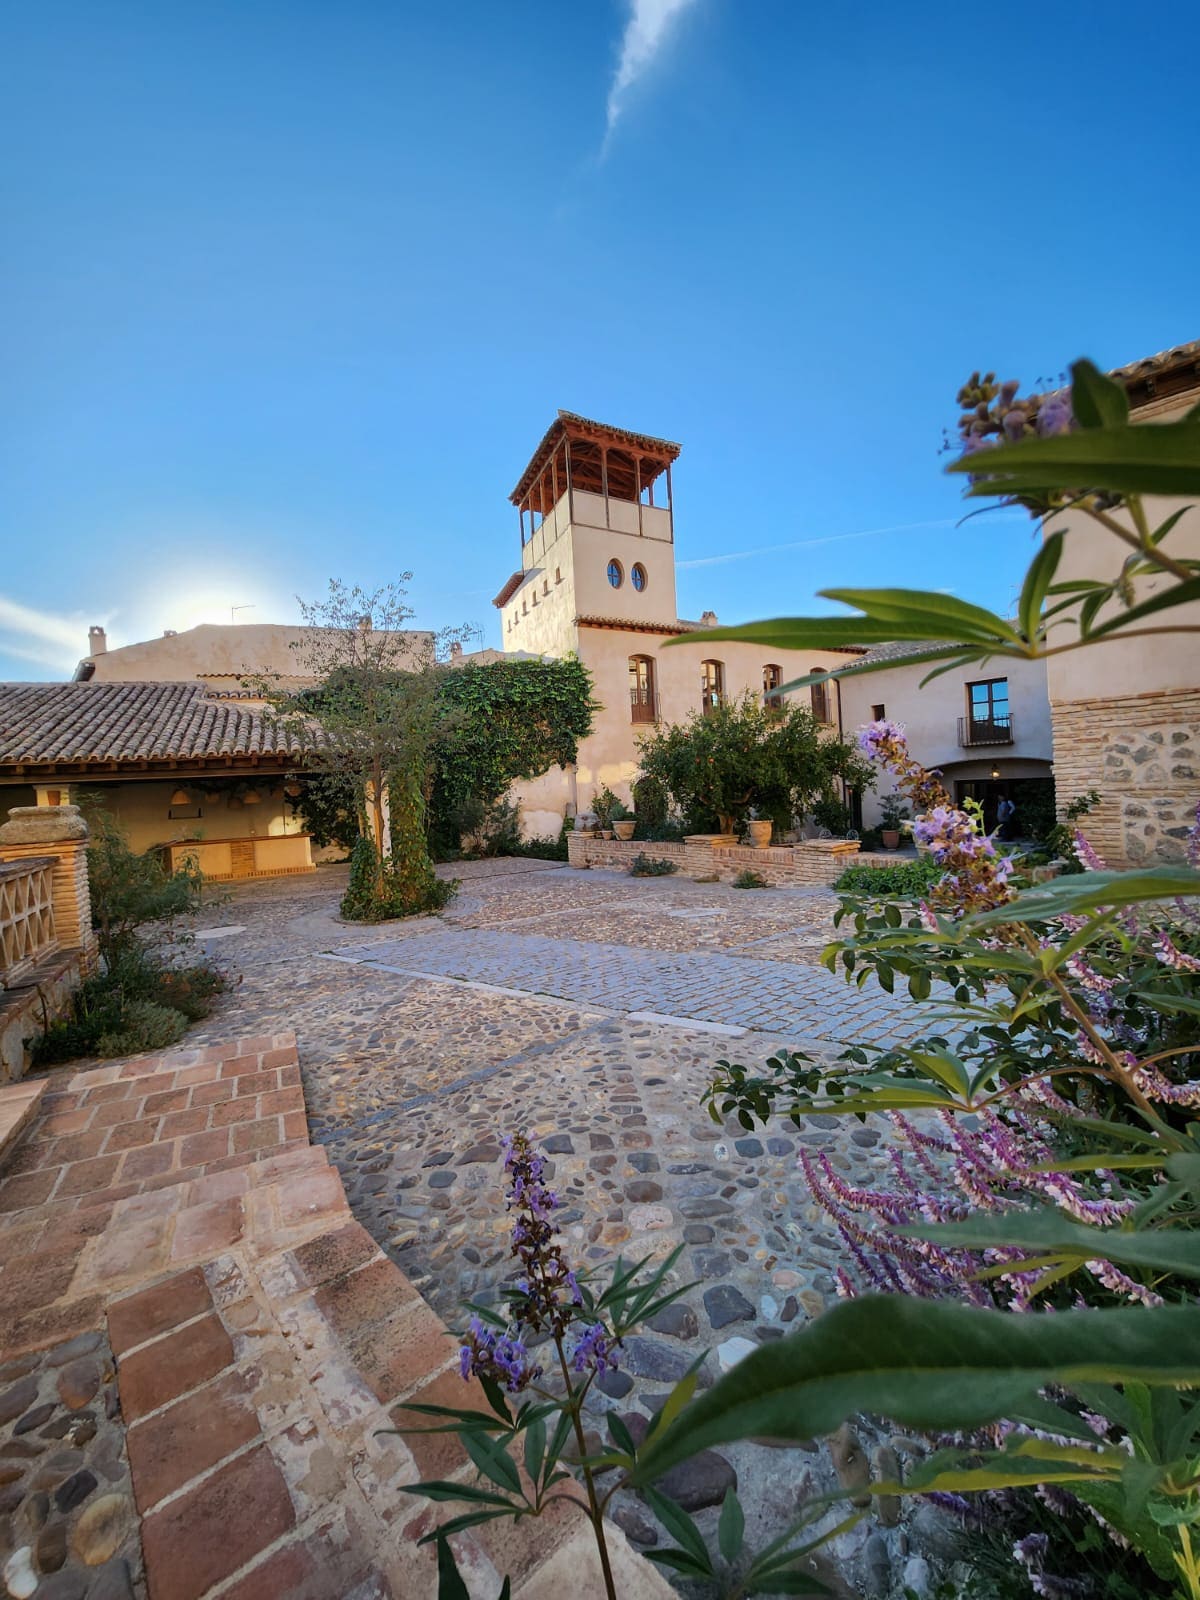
<point x="812" y="863"/>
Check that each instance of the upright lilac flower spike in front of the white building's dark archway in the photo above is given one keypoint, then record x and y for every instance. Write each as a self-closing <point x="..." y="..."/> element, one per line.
<point x="977" y="873"/>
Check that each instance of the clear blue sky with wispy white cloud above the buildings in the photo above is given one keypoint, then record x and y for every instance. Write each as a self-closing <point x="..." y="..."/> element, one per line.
<point x="292" y="290"/>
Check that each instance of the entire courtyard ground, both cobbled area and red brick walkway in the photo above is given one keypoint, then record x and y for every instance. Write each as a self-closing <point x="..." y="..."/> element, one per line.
<point x="583" y="1007"/>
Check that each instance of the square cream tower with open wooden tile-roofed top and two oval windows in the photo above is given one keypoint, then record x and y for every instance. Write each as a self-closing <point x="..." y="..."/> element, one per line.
<point x="598" y="535"/>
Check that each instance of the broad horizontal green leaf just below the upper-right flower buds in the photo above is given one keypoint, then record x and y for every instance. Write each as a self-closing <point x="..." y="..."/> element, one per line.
<point x="1130" y="460"/>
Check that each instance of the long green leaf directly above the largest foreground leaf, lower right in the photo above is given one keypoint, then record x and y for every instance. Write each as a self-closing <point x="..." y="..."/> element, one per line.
<point x="1054" y="1236"/>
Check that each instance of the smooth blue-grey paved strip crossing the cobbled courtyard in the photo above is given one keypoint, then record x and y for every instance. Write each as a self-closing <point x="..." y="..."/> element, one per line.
<point x="807" y="1004"/>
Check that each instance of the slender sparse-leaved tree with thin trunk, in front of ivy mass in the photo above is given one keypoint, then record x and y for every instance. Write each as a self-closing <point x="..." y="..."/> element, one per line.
<point x="366" y="724"/>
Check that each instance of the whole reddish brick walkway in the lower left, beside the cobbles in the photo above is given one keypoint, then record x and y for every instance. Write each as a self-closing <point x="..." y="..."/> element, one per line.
<point x="263" y="1342"/>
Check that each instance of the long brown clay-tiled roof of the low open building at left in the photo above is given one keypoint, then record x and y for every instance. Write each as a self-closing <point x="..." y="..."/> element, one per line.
<point x="103" y="724"/>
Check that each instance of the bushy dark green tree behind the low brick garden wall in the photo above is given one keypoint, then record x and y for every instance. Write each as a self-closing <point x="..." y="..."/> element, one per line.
<point x="743" y="756"/>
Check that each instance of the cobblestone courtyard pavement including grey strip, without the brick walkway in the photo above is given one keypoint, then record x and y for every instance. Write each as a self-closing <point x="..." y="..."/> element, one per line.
<point x="423" y="1042"/>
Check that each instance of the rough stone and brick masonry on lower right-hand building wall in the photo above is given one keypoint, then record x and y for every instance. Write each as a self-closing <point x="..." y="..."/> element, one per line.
<point x="1143" y="754"/>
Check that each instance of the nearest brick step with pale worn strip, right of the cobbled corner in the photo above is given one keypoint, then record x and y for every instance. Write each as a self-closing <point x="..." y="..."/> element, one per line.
<point x="257" y="1390"/>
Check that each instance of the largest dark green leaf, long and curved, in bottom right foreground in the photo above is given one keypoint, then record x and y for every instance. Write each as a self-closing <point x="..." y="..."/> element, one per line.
<point x="924" y="1364"/>
